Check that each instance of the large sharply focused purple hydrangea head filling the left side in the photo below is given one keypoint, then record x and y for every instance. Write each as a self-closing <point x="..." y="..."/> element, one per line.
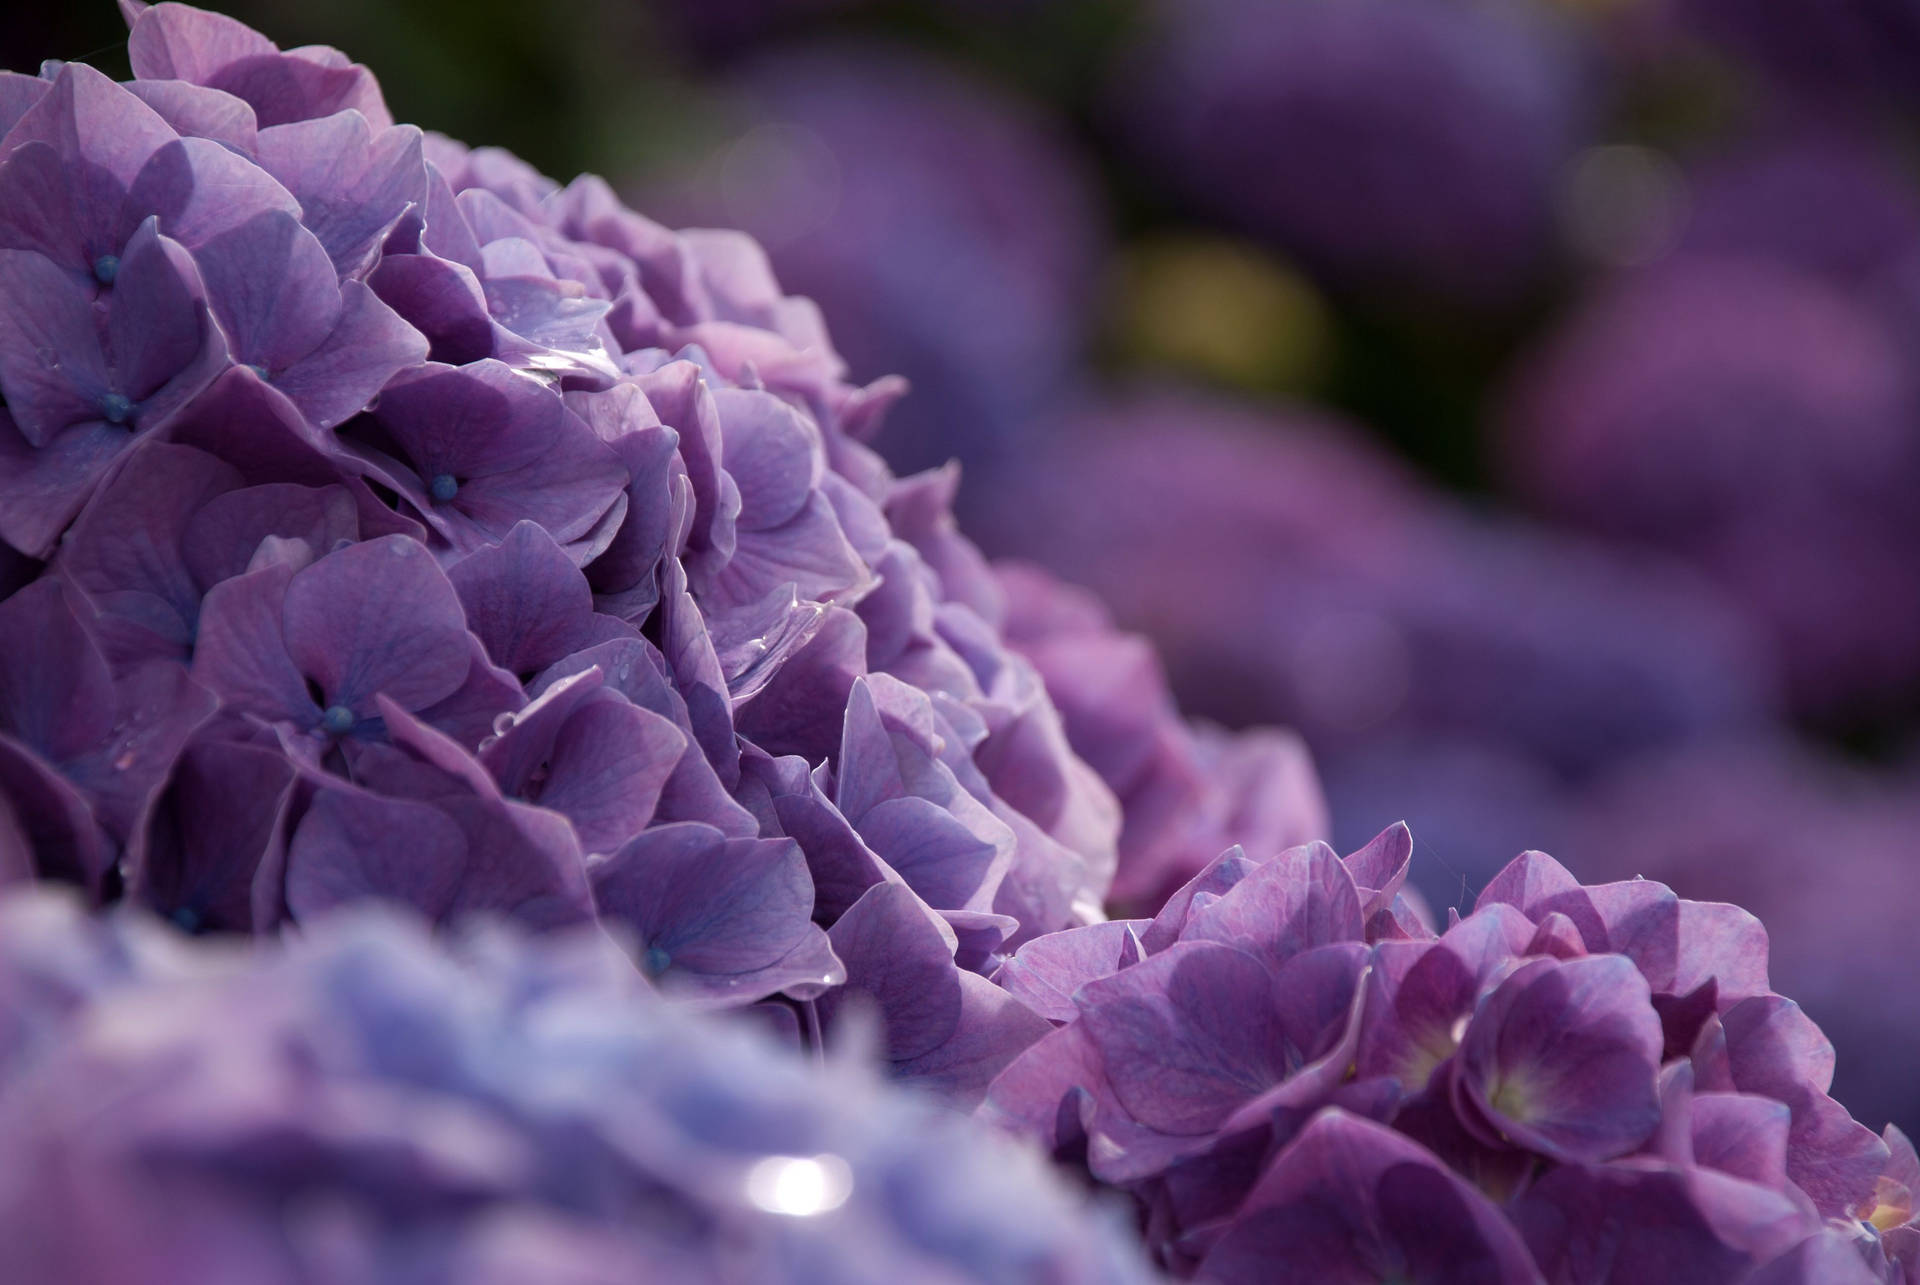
<point x="389" y="521"/>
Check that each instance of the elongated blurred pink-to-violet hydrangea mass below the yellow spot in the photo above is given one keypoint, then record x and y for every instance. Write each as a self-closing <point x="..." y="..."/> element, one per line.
<point x="1291" y="573"/>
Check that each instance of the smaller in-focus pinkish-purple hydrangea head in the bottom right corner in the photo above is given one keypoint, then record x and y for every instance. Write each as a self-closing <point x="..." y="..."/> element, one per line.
<point x="1307" y="1082"/>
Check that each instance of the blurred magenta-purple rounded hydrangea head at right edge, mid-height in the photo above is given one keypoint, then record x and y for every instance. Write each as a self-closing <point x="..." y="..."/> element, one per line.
<point x="1756" y="420"/>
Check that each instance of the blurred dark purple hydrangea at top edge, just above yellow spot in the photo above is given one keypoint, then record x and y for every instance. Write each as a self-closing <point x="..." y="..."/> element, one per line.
<point x="1387" y="145"/>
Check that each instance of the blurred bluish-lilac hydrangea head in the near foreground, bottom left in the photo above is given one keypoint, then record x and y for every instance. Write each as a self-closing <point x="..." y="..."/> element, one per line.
<point x="370" y="1105"/>
